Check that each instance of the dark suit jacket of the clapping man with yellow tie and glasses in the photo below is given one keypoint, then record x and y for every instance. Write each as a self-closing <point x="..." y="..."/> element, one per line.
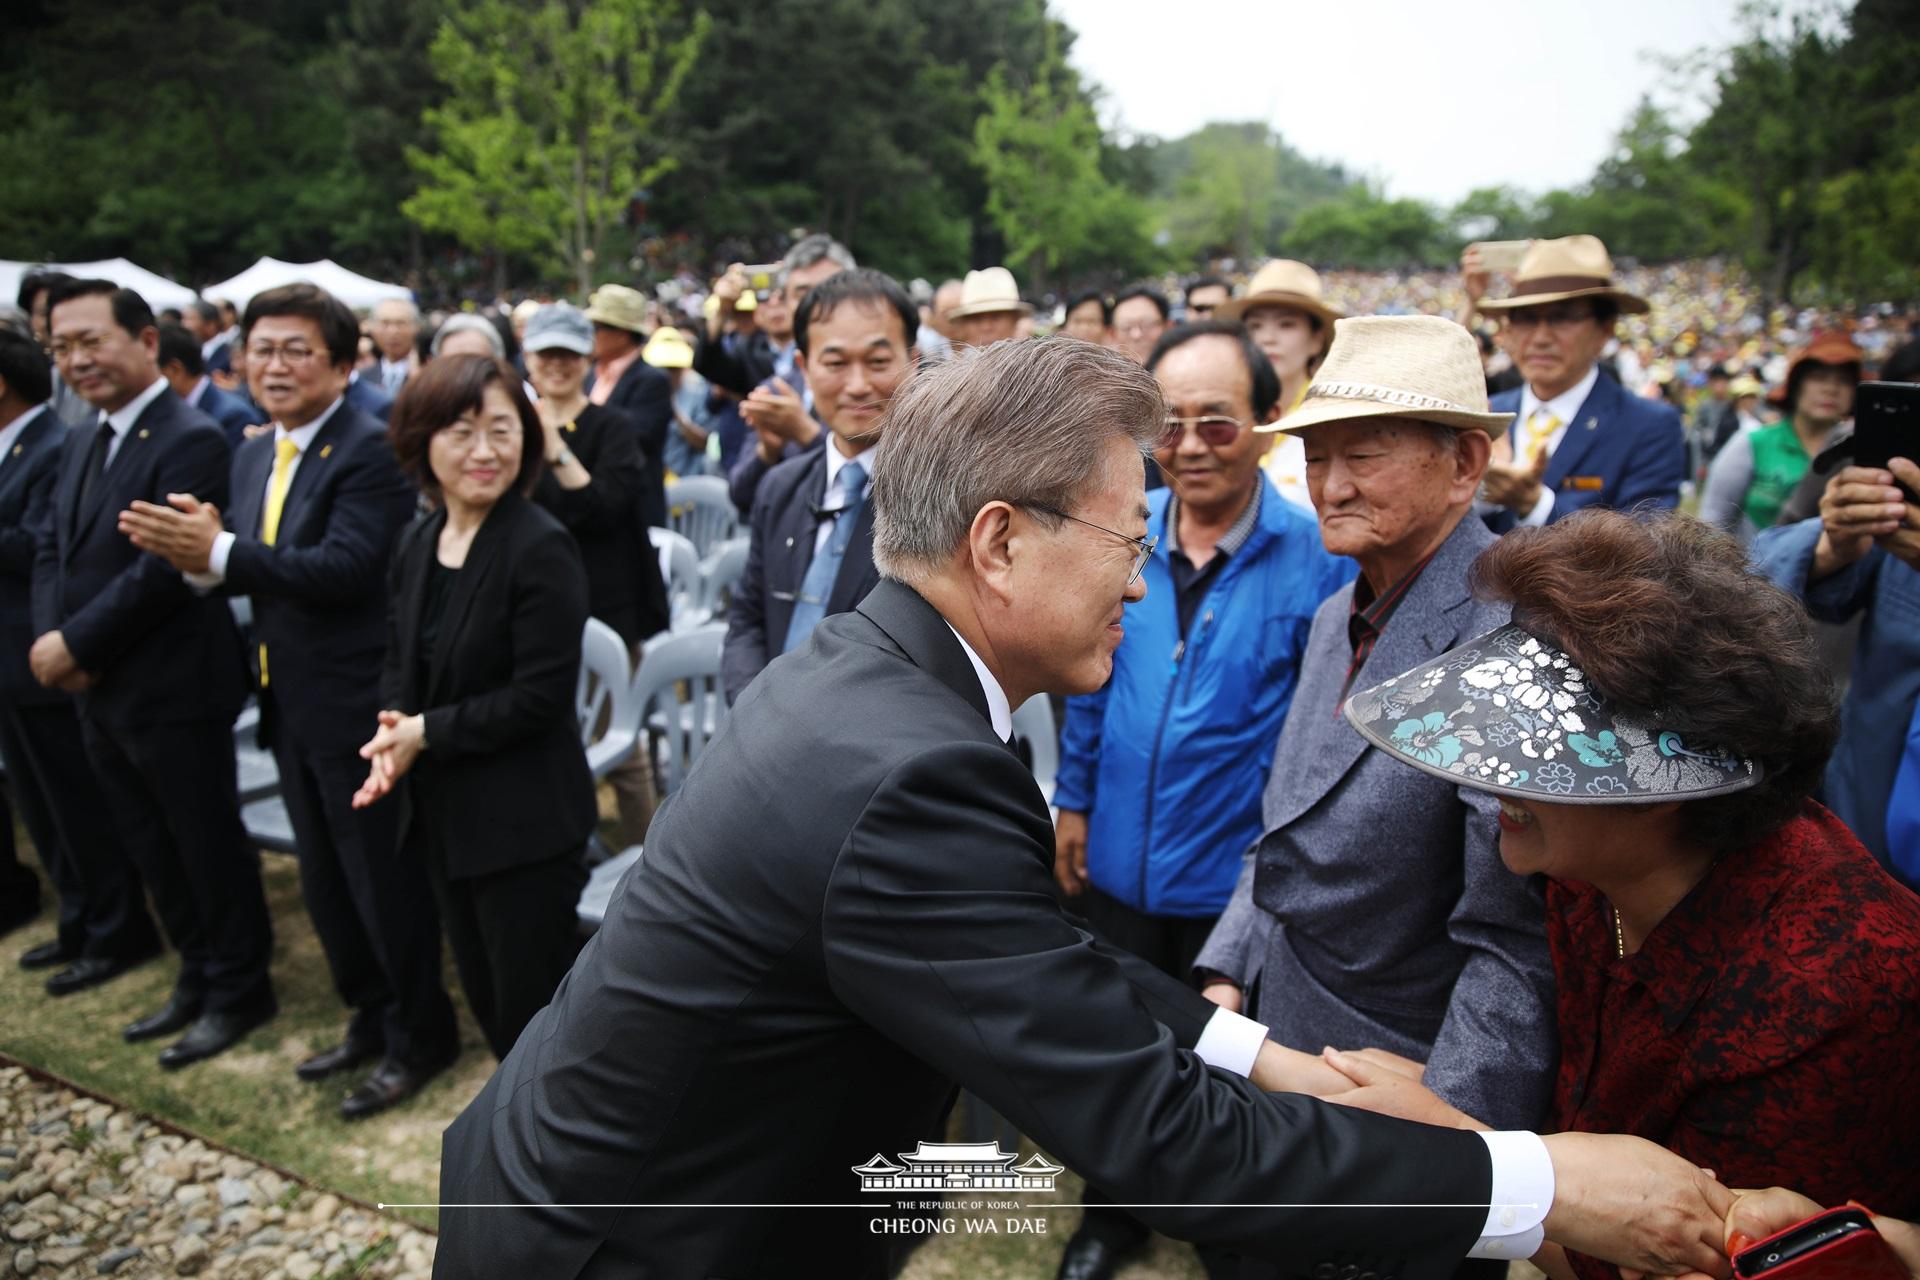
<point x="320" y="590"/>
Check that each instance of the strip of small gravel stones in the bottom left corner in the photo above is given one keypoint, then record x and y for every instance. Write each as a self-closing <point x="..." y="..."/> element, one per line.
<point x="95" y="1191"/>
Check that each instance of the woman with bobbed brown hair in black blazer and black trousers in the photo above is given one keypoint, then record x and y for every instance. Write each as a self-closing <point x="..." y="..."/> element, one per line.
<point x="487" y="604"/>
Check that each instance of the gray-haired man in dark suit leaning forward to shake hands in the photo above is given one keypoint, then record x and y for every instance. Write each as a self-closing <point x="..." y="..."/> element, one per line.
<point x="784" y="995"/>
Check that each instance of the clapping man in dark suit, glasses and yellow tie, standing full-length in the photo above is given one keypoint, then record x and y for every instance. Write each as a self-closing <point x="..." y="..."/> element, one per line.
<point x="316" y="511"/>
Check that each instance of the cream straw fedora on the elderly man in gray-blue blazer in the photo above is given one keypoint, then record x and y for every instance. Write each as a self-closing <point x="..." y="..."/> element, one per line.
<point x="1399" y="367"/>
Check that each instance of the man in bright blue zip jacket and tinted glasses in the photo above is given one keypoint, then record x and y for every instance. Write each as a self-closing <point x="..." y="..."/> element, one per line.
<point x="1161" y="772"/>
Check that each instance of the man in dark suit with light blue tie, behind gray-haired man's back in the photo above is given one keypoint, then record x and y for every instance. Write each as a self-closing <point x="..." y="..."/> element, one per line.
<point x="813" y="529"/>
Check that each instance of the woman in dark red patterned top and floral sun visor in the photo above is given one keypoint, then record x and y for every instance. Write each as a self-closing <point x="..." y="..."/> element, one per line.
<point x="1739" y="980"/>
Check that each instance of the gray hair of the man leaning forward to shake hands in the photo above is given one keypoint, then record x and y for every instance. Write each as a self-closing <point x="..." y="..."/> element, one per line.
<point x="1024" y="423"/>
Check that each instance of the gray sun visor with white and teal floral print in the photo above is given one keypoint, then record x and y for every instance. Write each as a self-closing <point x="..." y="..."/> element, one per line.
<point x="1512" y="715"/>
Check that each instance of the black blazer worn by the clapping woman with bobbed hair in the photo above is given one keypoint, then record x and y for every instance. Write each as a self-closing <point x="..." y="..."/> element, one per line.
<point x="504" y="780"/>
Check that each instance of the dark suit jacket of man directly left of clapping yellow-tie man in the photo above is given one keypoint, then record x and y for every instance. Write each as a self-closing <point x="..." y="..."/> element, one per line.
<point x="156" y="650"/>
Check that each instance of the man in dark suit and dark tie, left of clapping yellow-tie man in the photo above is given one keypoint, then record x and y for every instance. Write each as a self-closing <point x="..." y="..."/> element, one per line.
<point x="156" y="667"/>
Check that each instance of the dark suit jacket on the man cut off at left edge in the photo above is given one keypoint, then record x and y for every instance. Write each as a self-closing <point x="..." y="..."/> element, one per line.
<point x="26" y="498"/>
